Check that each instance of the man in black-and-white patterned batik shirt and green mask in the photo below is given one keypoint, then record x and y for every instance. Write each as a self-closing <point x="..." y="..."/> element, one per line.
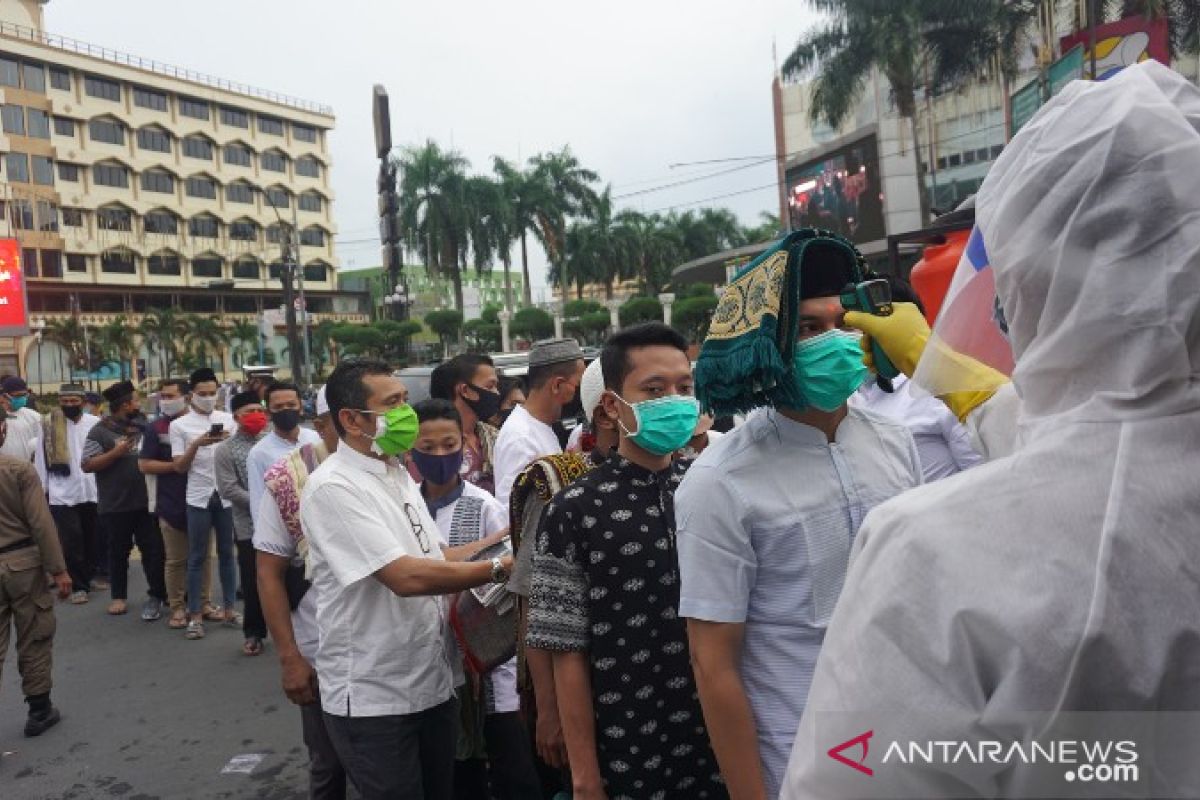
<point x="605" y="593"/>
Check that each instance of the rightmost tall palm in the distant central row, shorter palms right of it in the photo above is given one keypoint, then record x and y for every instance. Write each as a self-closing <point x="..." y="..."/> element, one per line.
<point x="566" y="193"/>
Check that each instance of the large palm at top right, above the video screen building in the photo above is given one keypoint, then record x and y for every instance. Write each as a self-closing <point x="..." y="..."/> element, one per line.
<point x="932" y="44"/>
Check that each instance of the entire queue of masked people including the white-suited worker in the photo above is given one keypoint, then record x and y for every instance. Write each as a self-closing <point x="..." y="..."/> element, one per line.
<point x="470" y="601"/>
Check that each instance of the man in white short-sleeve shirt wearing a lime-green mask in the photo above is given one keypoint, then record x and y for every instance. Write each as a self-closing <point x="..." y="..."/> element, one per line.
<point x="387" y="684"/>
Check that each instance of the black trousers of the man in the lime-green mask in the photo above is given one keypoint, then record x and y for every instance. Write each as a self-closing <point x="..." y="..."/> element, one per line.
<point x="409" y="756"/>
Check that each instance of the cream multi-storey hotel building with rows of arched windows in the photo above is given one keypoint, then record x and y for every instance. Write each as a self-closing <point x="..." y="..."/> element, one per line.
<point x="134" y="185"/>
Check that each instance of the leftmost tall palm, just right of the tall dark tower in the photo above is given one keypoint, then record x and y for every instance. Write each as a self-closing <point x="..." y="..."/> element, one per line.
<point x="434" y="209"/>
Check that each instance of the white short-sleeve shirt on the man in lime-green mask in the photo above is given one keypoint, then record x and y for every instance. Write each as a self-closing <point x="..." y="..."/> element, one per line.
<point x="379" y="654"/>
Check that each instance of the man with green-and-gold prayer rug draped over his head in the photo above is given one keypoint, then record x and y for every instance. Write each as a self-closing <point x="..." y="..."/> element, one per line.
<point x="769" y="514"/>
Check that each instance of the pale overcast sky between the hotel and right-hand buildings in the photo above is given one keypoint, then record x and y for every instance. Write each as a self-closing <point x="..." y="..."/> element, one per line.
<point x="633" y="87"/>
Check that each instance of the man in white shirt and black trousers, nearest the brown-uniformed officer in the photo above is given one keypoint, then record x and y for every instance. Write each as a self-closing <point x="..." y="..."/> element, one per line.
<point x="71" y="491"/>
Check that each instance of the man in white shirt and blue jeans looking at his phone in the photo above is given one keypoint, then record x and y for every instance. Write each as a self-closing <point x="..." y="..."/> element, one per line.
<point x="193" y="437"/>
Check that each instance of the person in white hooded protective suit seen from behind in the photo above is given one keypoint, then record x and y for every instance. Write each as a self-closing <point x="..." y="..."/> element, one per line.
<point x="1061" y="579"/>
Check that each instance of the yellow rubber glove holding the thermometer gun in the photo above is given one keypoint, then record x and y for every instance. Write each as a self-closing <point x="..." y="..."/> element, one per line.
<point x="904" y="336"/>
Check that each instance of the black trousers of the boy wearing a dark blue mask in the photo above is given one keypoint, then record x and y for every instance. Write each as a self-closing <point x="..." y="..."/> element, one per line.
<point x="509" y="768"/>
